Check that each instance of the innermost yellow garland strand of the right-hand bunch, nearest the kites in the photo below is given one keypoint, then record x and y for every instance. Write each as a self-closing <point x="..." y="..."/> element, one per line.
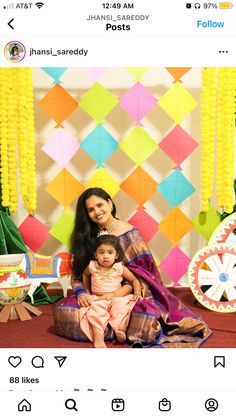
<point x="208" y="110"/>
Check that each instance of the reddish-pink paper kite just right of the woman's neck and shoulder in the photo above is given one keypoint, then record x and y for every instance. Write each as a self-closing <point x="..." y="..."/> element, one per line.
<point x="147" y="226"/>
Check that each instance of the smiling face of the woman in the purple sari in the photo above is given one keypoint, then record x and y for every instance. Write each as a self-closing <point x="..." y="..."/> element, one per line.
<point x="99" y="210"/>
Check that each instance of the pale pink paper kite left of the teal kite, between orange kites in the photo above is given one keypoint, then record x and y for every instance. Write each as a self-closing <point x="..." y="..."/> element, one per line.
<point x="61" y="147"/>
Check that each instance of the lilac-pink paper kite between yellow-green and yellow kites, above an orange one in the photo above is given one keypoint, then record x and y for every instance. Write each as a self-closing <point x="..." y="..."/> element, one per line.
<point x="137" y="101"/>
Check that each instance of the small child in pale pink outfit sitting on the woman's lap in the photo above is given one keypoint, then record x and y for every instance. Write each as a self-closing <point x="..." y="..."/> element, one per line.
<point x="108" y="302"/>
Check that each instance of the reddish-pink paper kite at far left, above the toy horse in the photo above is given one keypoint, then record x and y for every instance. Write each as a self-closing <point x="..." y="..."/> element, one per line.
<point x="33" y="232"/>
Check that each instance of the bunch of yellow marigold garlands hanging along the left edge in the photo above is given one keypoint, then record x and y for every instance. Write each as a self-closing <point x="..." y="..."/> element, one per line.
<point x="17" y="144"/>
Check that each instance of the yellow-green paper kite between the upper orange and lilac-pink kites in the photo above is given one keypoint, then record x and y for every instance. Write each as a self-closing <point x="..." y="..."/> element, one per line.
<point x="98" y="102"/>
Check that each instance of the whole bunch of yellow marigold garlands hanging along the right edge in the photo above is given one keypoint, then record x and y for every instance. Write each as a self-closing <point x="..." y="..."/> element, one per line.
<point x="218" y="109"/>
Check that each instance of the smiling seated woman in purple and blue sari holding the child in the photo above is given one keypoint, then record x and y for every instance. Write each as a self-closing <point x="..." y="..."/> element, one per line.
<point x="159" y="318"/>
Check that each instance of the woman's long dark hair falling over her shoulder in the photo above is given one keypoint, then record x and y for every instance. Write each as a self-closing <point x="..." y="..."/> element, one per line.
<point x="85" y="231"/>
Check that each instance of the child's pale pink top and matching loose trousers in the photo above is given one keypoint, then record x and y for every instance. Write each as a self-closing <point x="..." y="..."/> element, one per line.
<point x="116" y="312"/>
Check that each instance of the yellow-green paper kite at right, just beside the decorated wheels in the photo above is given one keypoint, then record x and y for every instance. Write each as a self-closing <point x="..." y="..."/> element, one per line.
<point x="206" y="222"/>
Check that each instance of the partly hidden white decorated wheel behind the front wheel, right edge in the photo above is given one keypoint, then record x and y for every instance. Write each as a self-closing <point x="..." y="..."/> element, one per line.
<point x="224" y="233"/>
